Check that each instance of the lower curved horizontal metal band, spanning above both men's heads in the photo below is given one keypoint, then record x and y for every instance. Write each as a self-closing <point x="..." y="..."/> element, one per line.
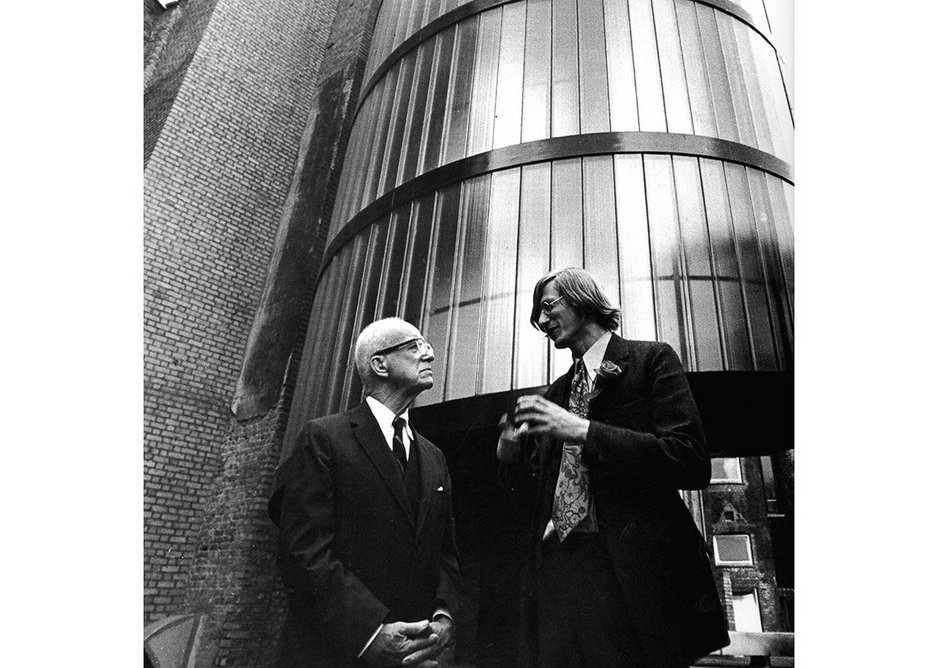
<point x="556" y="148"/>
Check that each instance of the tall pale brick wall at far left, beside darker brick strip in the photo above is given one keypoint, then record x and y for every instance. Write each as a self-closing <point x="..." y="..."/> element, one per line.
<point x="214" y="189"/>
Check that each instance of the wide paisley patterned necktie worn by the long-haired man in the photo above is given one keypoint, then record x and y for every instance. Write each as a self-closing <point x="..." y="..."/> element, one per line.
<point x="571" y="496"/>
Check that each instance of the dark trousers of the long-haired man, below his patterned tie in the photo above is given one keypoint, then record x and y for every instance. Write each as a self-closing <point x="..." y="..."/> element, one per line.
<point x="582" y="617"/>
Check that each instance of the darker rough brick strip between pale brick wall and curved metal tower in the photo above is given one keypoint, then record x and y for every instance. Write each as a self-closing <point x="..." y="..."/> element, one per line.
<point x="233" y="574"/>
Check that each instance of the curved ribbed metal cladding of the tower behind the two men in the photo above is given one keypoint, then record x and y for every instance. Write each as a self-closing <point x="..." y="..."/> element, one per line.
<point x="699" y="249"/>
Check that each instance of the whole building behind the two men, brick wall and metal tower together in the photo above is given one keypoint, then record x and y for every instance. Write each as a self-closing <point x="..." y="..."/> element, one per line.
<point x="449" y="154"/>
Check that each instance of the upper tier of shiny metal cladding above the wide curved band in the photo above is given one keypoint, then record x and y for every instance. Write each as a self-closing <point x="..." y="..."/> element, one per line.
<point x="492" y="72"/>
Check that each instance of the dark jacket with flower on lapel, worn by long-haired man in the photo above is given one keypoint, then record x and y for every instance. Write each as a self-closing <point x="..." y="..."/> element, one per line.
<point x="645" y="443"/>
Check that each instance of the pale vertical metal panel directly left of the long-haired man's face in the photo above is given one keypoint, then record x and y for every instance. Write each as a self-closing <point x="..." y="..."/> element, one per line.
<point x="533" y="262"/>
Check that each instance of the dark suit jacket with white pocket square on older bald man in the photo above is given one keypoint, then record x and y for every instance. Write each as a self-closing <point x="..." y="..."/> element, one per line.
<point x="353" y="554"/>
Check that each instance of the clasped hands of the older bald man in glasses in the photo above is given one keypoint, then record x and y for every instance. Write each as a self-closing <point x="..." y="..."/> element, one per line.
<point x="414" y="644"/>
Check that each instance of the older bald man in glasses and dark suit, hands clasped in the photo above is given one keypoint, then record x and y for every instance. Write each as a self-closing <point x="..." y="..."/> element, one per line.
<point x="367" y="543"/>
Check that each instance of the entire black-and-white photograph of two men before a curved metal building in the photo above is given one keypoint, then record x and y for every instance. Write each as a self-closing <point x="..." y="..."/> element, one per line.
<point x="383" y="238"/>
